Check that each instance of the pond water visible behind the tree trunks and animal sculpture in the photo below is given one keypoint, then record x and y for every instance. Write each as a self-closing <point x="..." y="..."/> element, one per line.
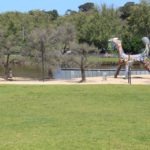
<point x="32" y="71"/>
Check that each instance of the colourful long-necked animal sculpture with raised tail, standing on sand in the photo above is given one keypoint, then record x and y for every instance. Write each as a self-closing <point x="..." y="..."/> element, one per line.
<point x="125" y="59"/>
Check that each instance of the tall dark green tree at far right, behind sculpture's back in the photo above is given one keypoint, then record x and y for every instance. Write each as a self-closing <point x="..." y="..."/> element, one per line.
<point x="137" y="26"/>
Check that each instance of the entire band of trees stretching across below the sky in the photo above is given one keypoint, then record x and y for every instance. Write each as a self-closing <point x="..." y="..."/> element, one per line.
<point x="49" y="39"/>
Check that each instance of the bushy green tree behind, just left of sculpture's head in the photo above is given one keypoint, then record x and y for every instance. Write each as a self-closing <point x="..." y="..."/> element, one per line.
<point x="99" y="26"/>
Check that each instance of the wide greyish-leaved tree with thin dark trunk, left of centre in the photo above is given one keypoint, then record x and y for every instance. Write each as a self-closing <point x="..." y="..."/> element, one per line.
<point x="49" y="46"/>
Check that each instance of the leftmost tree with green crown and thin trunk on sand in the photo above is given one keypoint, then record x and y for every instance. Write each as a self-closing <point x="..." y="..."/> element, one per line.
<point x="10" y="41"/>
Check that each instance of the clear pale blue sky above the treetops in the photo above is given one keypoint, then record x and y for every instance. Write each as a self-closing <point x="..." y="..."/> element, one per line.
<point x="60" y="5"/>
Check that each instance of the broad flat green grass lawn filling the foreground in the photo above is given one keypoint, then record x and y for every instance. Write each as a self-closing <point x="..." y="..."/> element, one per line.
<point x="74" y="117"/>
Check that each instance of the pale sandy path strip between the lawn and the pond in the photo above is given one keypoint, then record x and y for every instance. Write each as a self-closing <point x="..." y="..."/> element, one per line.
<point x="136" y="79"/>
